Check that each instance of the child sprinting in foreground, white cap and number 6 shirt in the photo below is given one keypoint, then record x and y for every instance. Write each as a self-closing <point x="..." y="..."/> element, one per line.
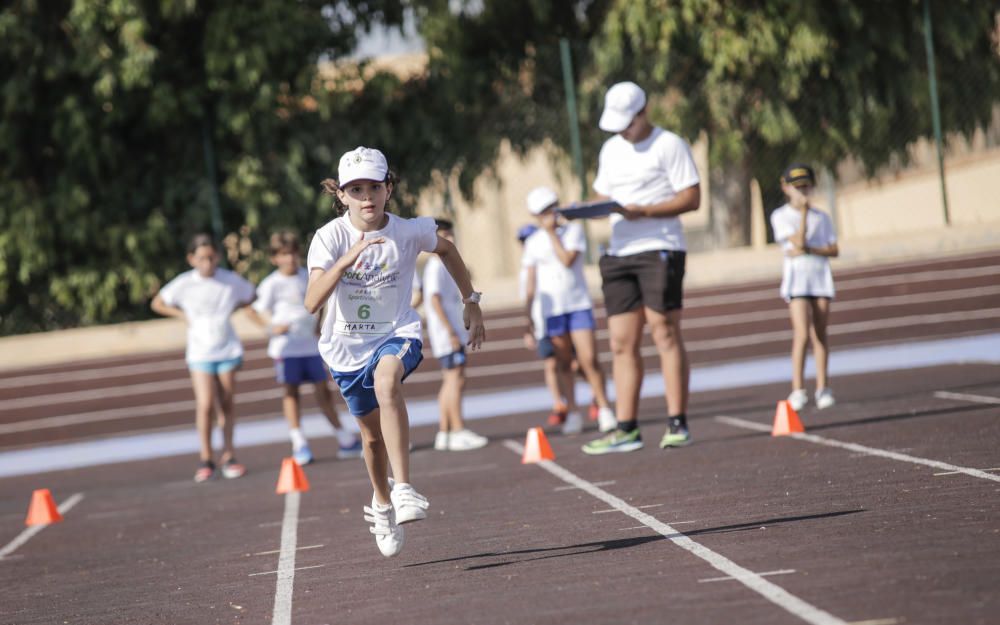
<point x="361" y="268"/>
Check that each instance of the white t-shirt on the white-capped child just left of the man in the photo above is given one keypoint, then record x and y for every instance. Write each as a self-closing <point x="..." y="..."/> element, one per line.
<point x="558" y="289"/>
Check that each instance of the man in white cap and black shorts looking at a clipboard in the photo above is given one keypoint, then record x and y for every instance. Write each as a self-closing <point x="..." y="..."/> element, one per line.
<point x="650" y="172"/>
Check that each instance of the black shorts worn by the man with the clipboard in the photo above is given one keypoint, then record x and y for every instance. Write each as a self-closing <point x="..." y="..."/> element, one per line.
<point x="654" y="279"/>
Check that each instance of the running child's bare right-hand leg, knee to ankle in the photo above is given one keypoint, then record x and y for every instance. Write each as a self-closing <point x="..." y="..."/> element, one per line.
<point x="394" y="418"/>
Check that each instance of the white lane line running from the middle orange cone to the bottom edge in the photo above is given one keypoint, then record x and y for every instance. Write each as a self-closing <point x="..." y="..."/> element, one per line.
<point x="770" y="591"/>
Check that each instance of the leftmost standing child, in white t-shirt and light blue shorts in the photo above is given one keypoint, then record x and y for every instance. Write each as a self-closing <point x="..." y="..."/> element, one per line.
<point x="205" y="297"/>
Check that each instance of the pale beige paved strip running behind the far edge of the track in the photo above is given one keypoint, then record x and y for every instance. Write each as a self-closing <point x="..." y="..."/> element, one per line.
<point x="705" y="269"/>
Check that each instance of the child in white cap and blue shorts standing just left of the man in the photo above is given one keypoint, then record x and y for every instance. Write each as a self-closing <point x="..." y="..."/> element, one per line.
<point x="554" y="283"/>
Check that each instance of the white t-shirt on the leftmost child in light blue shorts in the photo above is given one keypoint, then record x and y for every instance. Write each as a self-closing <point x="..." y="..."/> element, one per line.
<point x="207" y="304"/>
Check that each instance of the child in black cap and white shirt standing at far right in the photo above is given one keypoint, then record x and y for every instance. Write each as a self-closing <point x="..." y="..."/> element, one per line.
<point x="809" y="242"/>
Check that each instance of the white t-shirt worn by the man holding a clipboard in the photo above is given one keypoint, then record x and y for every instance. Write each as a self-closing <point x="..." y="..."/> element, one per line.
<point x="651" y="171"/>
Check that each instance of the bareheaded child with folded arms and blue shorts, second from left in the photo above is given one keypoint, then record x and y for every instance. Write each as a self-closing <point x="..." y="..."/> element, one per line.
<point x="292" y="345"/>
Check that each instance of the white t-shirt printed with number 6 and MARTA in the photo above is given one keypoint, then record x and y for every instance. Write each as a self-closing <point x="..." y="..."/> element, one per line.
<point x="371" y="303"/>
